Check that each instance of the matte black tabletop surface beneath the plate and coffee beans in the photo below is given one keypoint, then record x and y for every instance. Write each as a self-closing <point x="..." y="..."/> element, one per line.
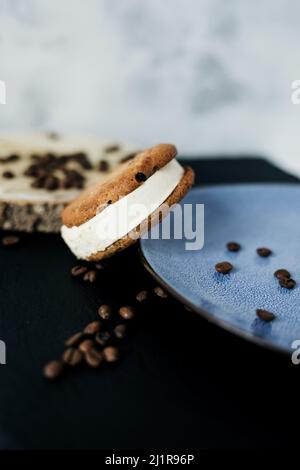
<point x="181" y="383"/>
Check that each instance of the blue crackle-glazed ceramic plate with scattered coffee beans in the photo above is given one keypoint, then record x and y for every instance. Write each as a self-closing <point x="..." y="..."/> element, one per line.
<point x="255" y="216"/>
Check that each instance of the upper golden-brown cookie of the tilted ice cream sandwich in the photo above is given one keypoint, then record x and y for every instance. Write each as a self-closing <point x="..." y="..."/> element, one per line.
<point x="120" y="183"/>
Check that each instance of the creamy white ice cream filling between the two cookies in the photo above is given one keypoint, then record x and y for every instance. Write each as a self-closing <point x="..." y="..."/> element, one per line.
<point x="118" y="219"/>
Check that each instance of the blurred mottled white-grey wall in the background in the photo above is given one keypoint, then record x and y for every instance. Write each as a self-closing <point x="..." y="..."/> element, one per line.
<point x="212" y="76"/>
